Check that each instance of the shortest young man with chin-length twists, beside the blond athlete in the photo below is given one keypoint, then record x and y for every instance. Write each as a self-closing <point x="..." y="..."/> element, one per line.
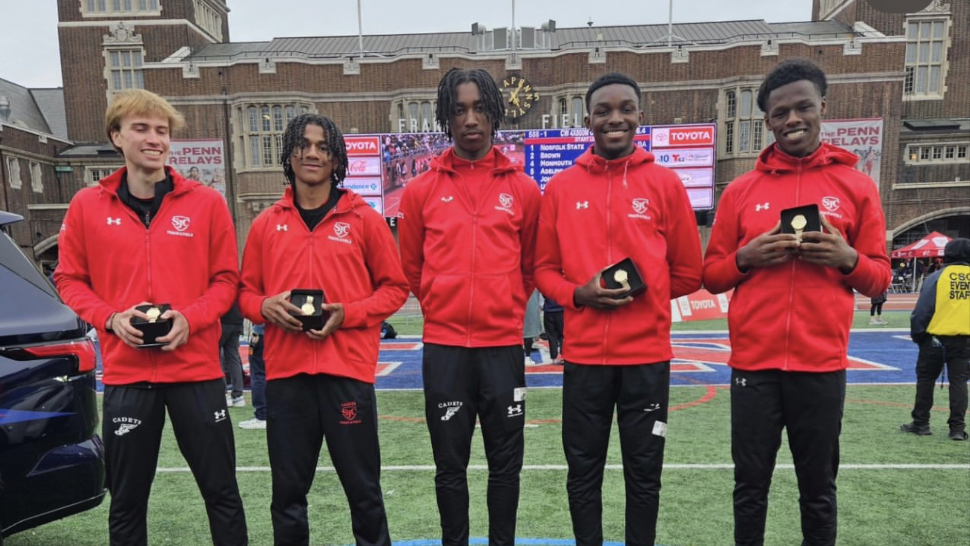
<point x="320" y="383"/>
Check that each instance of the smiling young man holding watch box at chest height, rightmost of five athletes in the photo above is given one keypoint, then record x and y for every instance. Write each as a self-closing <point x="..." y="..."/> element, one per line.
<point x="793" y="301"/>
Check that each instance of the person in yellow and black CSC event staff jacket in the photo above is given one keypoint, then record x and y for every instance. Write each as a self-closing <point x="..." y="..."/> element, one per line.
<point x="940" y="325"/>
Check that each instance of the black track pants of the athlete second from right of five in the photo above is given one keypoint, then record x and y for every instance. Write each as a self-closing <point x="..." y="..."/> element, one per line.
<point x="640" y="395"/>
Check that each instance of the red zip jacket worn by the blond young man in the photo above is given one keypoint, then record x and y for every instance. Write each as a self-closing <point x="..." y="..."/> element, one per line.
<point x="110" y="262"/>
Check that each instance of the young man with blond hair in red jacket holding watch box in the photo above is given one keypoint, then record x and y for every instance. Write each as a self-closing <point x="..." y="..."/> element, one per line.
<point x="145" y="235"/>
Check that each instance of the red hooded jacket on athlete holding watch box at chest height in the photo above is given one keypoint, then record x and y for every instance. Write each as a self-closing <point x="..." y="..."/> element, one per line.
<point x="796" y="316"/>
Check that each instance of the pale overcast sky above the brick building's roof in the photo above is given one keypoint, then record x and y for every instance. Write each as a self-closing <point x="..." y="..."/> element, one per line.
<point x="29" y="49"/>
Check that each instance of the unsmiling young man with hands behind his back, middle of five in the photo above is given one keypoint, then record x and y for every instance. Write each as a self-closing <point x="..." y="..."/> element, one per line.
<point x="467" y="233"/>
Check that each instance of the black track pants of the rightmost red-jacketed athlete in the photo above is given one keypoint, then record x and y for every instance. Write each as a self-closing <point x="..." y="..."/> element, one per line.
<point x="809" y="406"/>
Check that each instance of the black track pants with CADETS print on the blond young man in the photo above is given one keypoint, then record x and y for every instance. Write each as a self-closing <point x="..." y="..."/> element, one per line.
<point x="132" y="432"/>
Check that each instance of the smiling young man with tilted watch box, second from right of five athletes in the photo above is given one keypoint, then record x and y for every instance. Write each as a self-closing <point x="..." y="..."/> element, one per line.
<point x="616" y="203"/>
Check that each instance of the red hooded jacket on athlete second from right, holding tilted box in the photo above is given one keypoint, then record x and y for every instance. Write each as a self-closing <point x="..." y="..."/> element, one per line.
<point x="595" y="214"/>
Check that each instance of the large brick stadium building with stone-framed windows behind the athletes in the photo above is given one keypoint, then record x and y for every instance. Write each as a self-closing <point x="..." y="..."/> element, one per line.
<point x="904" y="70"/>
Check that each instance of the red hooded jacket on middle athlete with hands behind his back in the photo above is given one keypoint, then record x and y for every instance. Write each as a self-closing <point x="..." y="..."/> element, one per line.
<point x="470" y="261"/>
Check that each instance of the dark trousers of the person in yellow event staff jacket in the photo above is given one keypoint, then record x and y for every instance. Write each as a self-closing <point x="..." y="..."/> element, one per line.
<point x="955" y="351"/>
